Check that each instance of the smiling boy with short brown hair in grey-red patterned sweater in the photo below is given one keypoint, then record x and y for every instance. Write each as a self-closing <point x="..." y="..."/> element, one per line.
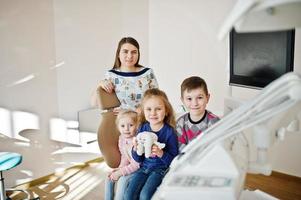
<point x="195" y="96"/>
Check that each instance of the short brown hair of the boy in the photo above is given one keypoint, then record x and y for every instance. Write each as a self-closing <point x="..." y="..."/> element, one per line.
<point x="192" y="83"/>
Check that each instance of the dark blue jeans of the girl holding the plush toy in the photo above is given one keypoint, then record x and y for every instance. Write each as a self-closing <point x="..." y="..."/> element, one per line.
<point x="143" y="183"/>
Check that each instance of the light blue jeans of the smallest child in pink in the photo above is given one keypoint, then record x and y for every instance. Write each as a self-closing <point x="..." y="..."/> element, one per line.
<point x="120" y="188"/>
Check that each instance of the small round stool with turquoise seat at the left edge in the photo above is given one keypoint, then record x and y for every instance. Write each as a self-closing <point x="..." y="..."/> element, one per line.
<point x="8" y="160"/>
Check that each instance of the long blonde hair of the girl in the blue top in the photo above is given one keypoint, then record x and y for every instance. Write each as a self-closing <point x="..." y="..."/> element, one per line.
<point x="154" y="92"/>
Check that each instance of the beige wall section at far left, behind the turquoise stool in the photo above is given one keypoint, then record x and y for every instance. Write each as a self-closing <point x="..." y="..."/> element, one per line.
<point x="28" y="84"/>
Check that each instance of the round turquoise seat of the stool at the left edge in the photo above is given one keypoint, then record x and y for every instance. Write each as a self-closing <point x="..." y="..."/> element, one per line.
<point x="9" y="160"/>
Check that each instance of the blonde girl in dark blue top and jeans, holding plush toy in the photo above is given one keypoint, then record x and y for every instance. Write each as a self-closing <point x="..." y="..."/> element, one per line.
<point x="157" y="116"/>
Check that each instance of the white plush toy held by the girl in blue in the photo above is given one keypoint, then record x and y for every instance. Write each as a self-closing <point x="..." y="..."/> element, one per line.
<point x="145" y="142"/>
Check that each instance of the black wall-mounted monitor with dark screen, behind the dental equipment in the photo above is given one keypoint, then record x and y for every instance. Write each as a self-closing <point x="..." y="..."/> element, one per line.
<point x="258" y="58"/>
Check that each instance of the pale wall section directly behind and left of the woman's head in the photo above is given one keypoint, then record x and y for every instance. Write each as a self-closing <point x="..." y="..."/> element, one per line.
<point x="86" y="38"/>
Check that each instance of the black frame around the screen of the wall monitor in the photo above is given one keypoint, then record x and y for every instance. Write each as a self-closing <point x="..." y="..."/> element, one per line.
<point x="255" y="82"/>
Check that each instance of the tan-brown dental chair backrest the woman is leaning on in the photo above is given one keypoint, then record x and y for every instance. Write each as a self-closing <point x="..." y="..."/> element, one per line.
<point x="107" y="133"/>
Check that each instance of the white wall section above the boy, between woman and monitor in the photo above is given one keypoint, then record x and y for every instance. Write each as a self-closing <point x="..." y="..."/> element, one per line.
<point x="183" y="42"/>
